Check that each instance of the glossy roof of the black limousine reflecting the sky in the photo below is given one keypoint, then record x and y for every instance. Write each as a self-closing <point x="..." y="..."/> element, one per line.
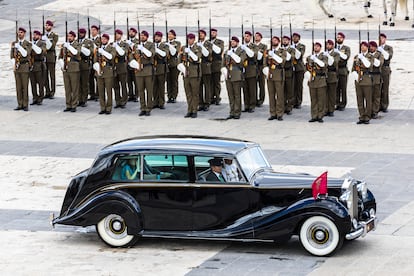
<point x="184" y="143"/>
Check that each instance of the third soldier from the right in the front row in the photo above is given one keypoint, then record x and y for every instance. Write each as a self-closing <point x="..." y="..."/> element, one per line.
<point x="274" y="73"/>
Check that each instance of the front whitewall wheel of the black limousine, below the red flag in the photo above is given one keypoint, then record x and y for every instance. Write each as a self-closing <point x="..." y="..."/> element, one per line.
<point x="320" y="236"/>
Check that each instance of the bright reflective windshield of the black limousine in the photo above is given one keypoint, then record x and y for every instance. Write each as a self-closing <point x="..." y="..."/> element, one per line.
<point x="251" y="160"/>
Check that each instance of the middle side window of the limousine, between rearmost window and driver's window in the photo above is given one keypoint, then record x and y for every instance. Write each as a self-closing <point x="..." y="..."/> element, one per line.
<point x="165" y="166"/>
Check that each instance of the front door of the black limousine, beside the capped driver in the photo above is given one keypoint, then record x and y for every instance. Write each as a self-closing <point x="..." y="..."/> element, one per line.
<point x="218" y="205"/>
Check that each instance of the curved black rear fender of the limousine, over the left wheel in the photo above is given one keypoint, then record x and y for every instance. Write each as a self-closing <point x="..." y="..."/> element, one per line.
<point x="96" y="208"/>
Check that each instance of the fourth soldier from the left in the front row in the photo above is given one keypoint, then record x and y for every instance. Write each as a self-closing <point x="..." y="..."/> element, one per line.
<point x="142" y="60"/>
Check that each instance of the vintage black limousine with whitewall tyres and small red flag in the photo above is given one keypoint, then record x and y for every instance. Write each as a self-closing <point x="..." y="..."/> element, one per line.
<point x="161" y="187"/>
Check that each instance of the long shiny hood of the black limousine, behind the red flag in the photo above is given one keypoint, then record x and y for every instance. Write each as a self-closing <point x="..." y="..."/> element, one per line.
<point x="270" y="179"/>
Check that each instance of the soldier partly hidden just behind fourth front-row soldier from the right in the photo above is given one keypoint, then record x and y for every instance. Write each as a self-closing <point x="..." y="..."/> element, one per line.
<point x="250" y="72"/>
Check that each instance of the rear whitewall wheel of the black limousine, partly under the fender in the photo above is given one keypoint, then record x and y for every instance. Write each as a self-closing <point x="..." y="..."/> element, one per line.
<point x="112" y="230"/>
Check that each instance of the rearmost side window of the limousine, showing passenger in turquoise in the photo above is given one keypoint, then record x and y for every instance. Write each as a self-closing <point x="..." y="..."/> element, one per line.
<point x="127" y="168"/>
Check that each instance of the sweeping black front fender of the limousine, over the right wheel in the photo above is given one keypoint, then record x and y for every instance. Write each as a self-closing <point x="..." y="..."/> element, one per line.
<point x="287" y="221"/>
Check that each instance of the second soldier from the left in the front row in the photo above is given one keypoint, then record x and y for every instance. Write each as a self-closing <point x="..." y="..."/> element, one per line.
<point x="69" y="59"/>
